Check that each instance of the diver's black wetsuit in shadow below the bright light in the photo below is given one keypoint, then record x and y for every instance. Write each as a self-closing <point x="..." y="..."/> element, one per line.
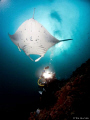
<point x="48" y="95"/>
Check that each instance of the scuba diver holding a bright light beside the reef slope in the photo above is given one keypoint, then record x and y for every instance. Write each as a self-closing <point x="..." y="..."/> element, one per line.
<point x="48" y="85"/>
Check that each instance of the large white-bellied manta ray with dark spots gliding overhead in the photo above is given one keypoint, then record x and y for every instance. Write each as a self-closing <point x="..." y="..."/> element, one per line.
<point x="33" y="38"/>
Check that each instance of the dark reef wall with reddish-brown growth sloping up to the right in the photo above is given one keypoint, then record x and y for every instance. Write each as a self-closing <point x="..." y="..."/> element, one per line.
<point x="73" y="98"/>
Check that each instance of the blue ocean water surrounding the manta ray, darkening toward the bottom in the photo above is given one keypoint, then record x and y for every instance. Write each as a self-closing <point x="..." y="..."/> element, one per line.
<point x="63" y="19"/>
